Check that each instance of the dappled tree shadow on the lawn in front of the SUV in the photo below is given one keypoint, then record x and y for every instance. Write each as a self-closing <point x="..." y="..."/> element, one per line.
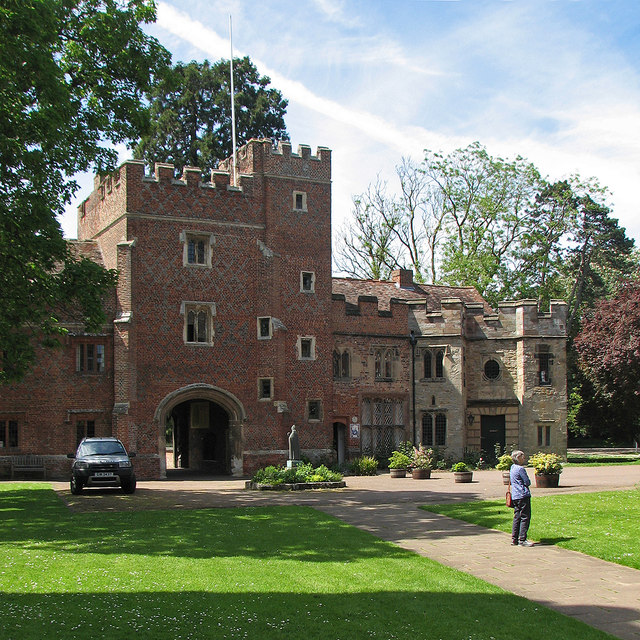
<point x="37" y="518"/>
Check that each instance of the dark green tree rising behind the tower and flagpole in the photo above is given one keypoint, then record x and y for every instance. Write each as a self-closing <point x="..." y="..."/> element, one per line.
<point x="191" y="113"/>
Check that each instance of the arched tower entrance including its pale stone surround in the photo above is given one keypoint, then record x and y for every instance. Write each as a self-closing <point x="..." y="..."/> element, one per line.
<point x="200" y="429"/>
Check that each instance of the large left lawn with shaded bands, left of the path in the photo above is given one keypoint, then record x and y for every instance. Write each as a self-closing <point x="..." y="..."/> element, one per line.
<point x="254" y="573"/>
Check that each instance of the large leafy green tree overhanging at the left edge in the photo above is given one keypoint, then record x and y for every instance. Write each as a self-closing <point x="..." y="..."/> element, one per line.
<point x="72" y="77"/>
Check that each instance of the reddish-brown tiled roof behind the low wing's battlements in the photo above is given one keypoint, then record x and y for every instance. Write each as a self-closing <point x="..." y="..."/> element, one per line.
<point x="384" y="290"/>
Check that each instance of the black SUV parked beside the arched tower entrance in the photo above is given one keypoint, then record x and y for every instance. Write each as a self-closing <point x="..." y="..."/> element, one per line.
<point x="102" y="462"/>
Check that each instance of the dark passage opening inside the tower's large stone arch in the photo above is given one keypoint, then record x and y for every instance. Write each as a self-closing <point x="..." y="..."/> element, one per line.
<point x="198" y="438"/>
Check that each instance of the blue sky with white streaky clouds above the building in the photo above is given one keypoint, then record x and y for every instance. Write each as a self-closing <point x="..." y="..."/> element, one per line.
<point x="556" y="81"/>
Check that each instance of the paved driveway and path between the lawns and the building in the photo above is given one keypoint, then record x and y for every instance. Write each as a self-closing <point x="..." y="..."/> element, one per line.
<point x="602" y="594"/>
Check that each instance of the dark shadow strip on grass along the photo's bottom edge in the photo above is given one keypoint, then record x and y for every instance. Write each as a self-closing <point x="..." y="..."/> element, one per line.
<point x="255" y="614"/>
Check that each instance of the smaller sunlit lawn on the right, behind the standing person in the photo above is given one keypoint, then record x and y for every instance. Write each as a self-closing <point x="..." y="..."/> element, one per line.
<point x="603" y="525"/>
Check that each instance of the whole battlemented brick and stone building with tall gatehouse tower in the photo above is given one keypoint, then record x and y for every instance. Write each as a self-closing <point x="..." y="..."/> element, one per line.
<point x="226" y="327"/>
